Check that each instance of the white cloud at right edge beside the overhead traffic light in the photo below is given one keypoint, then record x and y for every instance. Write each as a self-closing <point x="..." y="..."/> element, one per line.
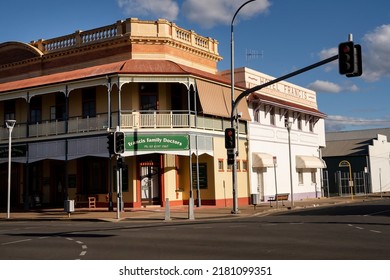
<point x="376" y="53"/>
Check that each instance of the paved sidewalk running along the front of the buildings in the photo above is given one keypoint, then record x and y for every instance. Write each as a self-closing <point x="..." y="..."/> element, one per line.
<point x="181" y="213"/>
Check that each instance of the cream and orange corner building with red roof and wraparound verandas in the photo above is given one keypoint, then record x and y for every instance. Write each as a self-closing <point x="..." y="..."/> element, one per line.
<point x="152" y="80"/>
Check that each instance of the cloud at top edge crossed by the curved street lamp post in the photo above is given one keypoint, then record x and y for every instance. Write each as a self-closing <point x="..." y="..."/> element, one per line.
<point x="209" y="13"/>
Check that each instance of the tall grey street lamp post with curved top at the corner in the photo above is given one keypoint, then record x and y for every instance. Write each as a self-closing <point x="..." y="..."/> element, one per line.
<point x="234" y="118"/>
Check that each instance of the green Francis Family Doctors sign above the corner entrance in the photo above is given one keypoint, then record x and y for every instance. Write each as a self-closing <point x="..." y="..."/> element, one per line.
<point x="135" y="142"/>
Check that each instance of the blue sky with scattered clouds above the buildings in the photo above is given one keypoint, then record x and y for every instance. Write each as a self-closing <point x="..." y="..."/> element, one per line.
<point x="275" y="37"/>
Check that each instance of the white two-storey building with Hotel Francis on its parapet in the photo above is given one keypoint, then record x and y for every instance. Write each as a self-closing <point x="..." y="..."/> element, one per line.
<point x="285" y="137"/>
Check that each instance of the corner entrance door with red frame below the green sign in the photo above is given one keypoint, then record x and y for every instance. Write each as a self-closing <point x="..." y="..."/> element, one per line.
<point x="150" y="189"/>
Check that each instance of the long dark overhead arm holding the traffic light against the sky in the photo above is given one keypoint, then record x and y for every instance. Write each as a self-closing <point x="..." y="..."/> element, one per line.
<point x="256" y="88"/>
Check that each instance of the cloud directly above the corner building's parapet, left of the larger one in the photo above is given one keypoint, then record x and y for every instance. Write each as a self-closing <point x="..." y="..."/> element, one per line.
<point x="167" y="9"/>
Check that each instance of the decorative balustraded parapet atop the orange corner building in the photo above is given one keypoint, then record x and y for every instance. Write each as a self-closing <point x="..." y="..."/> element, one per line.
<point x="135" y="29"/>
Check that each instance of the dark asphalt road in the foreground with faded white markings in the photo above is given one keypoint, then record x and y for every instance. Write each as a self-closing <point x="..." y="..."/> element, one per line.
<point x="350" y="231"/>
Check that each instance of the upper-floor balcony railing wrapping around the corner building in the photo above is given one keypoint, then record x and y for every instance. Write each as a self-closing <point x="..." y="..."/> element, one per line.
<point x="129" y="120"/>
